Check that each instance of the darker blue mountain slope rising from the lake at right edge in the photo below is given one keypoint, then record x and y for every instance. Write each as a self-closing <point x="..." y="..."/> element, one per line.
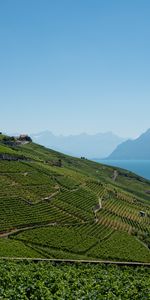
<point x="133" y="149"/>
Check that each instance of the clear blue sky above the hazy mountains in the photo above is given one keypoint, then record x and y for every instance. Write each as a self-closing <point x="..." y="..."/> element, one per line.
<point x="75" y="66"/>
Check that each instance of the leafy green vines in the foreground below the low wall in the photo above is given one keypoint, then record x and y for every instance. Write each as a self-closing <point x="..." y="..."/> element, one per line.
<point x="24" y="280"/>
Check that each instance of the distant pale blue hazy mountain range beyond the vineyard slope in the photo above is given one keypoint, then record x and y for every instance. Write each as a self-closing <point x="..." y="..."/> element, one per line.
<point x="91" y="146"/>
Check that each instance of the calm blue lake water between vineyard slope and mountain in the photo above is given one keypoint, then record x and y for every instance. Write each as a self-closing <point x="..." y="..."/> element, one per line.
<point x="140" y="167"/>
